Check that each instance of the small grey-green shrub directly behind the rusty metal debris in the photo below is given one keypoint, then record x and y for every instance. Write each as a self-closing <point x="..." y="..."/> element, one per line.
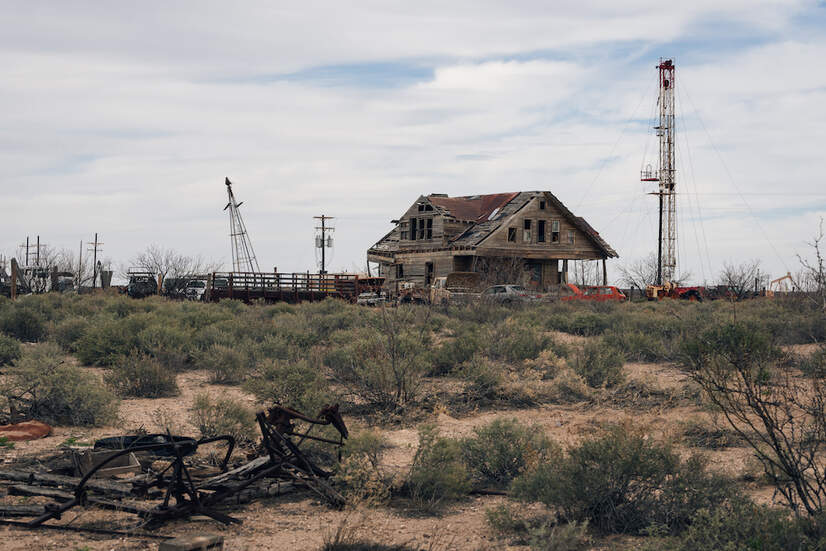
<point x="222" y="415"/>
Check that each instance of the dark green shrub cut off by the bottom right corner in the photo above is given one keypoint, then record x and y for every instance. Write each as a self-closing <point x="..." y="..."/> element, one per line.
<point x="742" y="524"/>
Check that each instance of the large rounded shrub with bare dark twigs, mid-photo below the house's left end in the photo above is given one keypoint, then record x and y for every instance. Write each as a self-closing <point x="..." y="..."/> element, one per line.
<point x="383" y="364"/>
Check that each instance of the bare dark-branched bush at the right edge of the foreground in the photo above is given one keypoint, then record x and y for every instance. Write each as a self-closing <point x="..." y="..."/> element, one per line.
<point x="778" y="413"/>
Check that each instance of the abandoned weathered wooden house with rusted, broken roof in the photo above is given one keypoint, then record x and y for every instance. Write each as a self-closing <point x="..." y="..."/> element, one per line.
<point x="524" y="237"/>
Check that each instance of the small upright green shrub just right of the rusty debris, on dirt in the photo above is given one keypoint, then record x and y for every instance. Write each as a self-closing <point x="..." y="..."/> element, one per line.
<point x="438" y="475"/>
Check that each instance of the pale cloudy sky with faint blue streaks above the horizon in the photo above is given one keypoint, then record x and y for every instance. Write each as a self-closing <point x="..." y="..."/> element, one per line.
<point x="124" y="119"/>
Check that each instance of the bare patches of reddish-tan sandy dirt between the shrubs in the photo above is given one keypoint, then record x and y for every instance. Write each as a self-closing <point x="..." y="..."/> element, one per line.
<point x="299" y="522"/>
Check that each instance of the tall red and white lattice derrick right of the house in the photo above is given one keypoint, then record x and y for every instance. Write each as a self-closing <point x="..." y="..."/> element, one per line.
<point x="664" y="175"/>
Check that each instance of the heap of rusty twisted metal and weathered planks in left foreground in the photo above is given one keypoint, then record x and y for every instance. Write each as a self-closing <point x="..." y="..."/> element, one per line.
<point x="179" y="488"/>
